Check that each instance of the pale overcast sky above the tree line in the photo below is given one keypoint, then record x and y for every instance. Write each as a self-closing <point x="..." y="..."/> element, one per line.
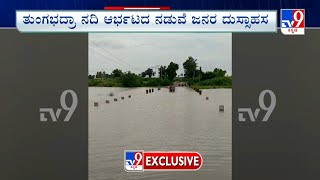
<point x="138" y="52"/>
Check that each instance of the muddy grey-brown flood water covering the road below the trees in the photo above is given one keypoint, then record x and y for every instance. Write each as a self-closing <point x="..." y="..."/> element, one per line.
<point x="161" y="121"/>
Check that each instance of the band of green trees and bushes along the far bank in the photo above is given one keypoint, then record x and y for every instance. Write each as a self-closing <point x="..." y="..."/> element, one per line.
<point x="193" y="76"/>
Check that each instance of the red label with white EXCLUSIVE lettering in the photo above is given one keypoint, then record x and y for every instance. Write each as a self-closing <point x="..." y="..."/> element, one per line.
<point x="172" y="160"/>
